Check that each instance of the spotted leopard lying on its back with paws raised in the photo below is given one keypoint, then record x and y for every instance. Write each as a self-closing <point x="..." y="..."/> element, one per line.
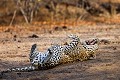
<point x="57" y="54"/>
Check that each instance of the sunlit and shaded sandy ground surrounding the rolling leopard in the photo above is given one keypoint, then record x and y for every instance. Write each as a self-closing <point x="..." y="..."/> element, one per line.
<point x="15" y="47"/>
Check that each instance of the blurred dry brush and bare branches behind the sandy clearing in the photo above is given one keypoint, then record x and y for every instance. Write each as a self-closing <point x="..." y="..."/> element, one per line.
<point x="58" y="11"/>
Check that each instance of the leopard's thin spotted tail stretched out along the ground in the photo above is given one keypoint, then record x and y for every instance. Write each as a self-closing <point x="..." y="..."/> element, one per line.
<point x="20" y="69"/>
